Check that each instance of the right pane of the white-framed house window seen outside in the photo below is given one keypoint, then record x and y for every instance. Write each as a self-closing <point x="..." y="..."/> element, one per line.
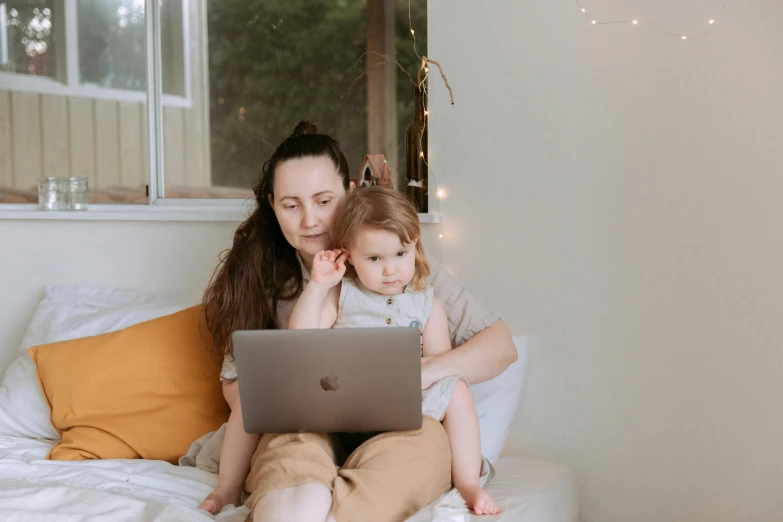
<point x="112" y="44"/>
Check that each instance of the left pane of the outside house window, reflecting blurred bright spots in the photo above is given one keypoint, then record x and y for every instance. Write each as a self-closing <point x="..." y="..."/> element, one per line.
<point x="26" y="38"/>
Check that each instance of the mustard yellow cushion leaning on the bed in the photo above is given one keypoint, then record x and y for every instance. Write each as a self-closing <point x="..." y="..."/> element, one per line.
<point x="147" y="391"/>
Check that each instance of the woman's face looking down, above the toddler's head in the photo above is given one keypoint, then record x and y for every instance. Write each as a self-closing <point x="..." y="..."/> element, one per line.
<point x="306" y="196"/>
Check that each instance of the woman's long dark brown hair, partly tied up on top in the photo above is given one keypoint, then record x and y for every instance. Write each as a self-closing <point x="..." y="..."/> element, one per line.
<point x="261" y="267"/>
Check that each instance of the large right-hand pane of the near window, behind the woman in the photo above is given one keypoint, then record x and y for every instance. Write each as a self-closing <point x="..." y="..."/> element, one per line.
<point x="272" y="63"/>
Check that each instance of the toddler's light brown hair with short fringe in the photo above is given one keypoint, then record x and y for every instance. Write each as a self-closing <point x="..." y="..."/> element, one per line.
<point x="385" y="209"/>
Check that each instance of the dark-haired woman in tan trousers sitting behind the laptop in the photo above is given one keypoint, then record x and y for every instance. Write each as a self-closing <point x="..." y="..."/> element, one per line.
<point x="294" y="477"/>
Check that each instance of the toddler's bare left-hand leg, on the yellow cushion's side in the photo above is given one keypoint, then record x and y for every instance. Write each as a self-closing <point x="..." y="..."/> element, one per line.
<point x="235" y="454"/>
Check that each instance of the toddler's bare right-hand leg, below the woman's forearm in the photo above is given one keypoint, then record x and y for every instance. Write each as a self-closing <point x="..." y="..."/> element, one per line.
<point x="462" y="428"/>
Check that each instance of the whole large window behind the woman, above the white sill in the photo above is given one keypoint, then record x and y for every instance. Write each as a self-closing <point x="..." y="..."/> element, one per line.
<point x="235" y="78"/>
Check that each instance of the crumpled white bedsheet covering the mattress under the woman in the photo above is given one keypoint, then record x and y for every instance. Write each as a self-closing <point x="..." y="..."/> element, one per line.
<point x="37" y="490"/>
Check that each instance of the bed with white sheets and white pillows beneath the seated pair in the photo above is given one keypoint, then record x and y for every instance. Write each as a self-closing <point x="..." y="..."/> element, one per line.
<point x="33" y="488"/>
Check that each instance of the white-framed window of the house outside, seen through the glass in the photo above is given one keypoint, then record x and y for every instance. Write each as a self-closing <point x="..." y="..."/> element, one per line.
<point x="90" y="48"/>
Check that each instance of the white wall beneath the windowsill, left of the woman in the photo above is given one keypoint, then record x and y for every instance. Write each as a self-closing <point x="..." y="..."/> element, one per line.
<point x="155" y="256"/>
